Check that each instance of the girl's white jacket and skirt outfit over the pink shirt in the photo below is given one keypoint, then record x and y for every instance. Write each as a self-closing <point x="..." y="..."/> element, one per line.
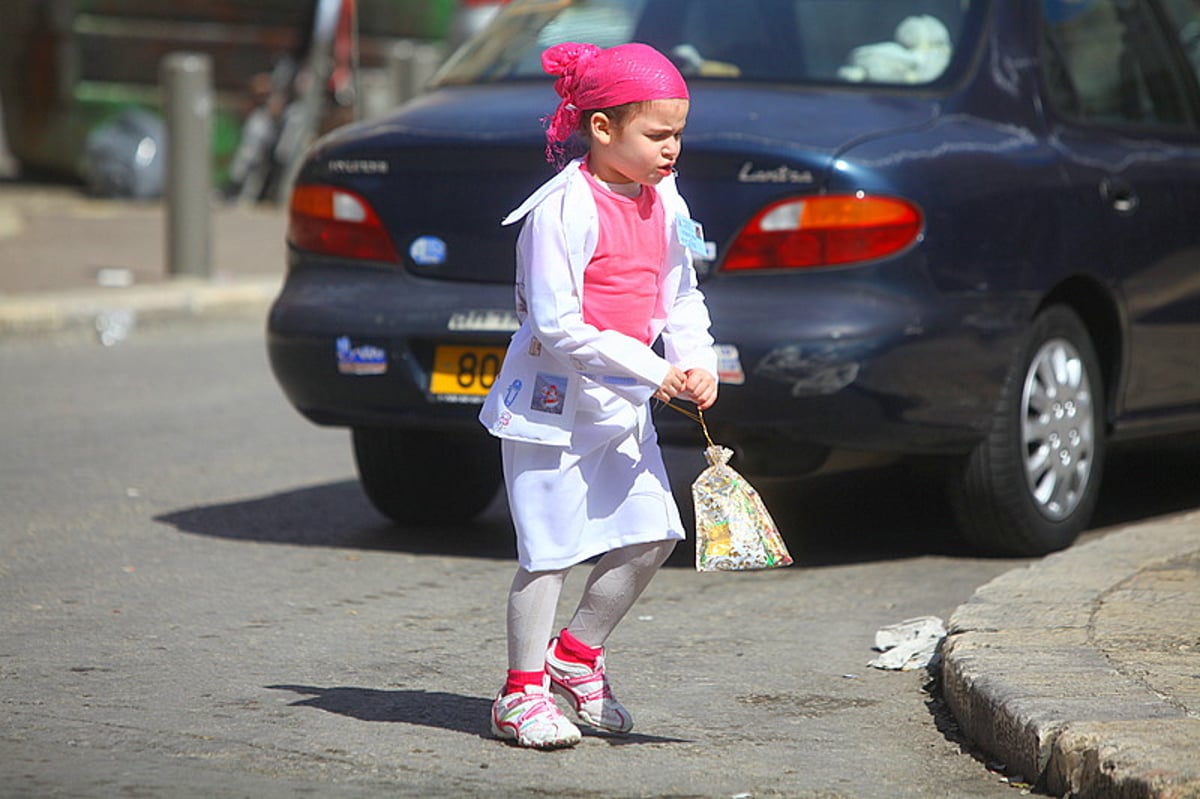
<point x="589" y="477"/>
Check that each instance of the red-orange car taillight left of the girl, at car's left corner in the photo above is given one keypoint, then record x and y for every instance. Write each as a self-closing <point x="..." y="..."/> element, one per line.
<point x="338" y="223"/>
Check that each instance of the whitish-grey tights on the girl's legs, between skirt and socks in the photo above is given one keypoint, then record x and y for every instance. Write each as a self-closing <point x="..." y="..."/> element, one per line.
<point x="616" y="582"/>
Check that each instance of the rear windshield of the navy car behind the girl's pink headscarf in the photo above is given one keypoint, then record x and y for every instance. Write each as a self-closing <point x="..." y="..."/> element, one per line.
<point x="895" y="43"/>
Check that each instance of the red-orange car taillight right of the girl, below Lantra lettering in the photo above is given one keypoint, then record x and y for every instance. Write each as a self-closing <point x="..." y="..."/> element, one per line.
<point x="825" y="231"/>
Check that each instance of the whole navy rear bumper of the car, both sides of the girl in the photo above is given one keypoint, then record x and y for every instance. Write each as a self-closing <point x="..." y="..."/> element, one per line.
<point x="837" y="367"/>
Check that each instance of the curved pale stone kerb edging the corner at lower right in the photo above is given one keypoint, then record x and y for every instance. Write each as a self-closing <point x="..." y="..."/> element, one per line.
<point x="1029" y="683"/>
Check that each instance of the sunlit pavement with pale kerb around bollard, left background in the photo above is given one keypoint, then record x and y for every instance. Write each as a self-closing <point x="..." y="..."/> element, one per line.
<point x="69" y="261"/>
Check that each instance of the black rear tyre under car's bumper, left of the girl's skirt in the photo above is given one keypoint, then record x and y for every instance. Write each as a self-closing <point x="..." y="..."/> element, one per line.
<point x="413" y="477"/>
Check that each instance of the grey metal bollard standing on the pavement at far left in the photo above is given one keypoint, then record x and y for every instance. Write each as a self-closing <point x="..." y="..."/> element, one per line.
<point x="188" y="106"/>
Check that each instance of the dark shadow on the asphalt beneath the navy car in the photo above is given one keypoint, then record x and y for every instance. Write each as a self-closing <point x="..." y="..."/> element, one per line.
<point x="871" y="516"/>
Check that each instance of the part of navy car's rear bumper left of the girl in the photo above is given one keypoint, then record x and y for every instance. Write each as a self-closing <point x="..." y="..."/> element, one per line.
<point x="391" y="322"/>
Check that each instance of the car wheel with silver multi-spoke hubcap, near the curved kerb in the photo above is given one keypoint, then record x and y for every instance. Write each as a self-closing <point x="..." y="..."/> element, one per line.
<point x="1030" y="488"/>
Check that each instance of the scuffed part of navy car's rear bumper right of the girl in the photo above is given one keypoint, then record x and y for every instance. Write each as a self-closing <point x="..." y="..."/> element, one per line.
<point x="862" y="365"/>
